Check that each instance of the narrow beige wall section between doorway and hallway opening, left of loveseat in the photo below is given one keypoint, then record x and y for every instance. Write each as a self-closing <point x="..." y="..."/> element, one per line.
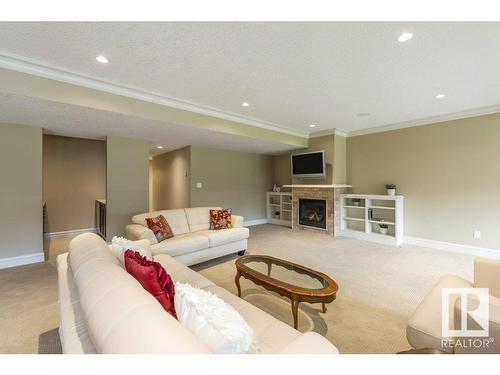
<point x="127" y="182"/>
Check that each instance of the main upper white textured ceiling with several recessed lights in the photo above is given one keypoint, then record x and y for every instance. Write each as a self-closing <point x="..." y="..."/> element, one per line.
<point x="292" y="74"/>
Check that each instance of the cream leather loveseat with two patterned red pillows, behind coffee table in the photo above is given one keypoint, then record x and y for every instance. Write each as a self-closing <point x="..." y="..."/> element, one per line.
<point x="193" y="242"/>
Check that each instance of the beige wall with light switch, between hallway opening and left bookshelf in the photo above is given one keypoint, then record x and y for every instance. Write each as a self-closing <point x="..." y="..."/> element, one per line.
<point x="231" y="179"/>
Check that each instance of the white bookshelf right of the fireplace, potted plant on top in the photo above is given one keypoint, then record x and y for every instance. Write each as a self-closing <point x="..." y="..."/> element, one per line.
<point x="355" y="220"/>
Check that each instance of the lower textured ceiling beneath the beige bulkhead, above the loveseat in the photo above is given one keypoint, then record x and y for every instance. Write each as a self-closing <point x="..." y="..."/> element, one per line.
<point x="75" y="121"/>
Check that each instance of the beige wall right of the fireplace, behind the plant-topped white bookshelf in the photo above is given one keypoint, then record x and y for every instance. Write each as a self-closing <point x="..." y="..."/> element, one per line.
<point x="448" y="172"/>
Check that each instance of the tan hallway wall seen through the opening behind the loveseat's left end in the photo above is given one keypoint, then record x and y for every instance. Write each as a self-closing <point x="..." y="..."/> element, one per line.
<point x="171" y="179"/>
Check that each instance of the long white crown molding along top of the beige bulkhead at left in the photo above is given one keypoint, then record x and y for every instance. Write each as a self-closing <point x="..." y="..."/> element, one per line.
<point x="29" y="66"/>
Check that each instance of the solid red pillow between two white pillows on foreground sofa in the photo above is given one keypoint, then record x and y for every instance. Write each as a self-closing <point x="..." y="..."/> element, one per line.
<point x="153" y="277"/>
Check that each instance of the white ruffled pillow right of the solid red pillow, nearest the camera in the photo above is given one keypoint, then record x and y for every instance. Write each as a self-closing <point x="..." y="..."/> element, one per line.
<point x="212" y="320"/>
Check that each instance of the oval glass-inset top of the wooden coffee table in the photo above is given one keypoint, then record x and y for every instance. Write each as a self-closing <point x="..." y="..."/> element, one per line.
<point x="285" y="272"/>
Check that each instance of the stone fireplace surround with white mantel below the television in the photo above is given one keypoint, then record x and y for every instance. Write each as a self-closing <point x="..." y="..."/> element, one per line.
<point x="329" y="193"/>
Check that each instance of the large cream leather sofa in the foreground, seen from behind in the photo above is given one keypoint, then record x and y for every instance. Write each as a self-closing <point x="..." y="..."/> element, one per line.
<point x="105" y="310"/>
